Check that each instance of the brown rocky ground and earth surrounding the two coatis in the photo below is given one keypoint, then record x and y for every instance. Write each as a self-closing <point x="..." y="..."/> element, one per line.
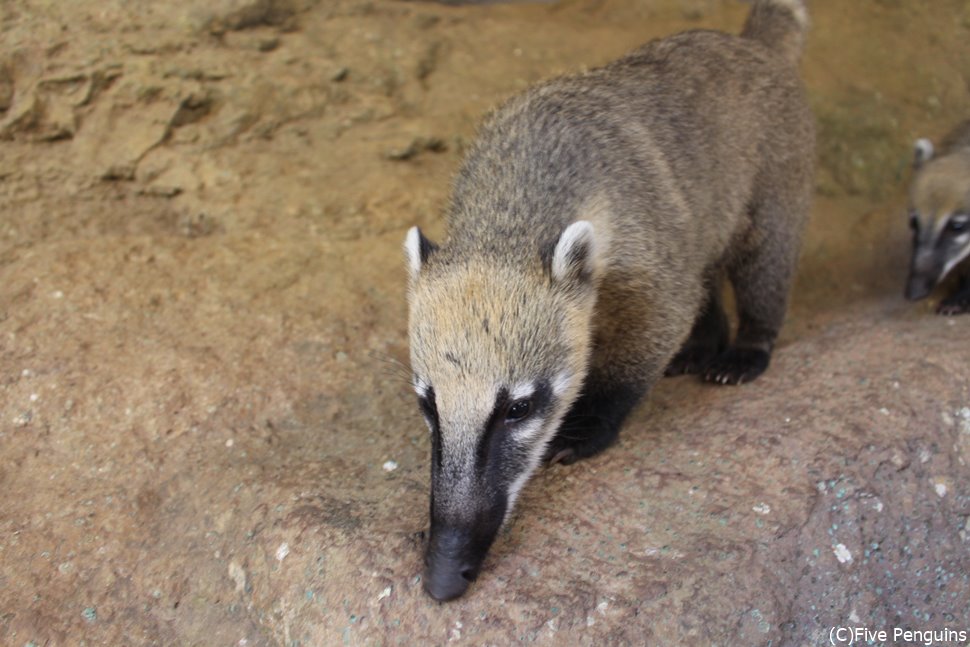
<point x="207" y="435"/>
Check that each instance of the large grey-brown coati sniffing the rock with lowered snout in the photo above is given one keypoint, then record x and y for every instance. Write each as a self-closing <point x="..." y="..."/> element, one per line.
<point x="589" y="230"/>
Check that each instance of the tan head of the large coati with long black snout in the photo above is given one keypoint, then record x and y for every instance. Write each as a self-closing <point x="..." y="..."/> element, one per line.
<point x="499" y="351"/>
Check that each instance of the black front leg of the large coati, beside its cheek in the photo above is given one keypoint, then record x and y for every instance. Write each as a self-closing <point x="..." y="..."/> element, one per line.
<point x="594" y="420"/>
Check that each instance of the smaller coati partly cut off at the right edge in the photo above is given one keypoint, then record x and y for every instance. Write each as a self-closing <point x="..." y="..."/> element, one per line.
<point x="939" y="216"/>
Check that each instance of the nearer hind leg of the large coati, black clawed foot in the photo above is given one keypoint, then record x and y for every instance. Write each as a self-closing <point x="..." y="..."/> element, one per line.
<point x="761" y="275"/>
